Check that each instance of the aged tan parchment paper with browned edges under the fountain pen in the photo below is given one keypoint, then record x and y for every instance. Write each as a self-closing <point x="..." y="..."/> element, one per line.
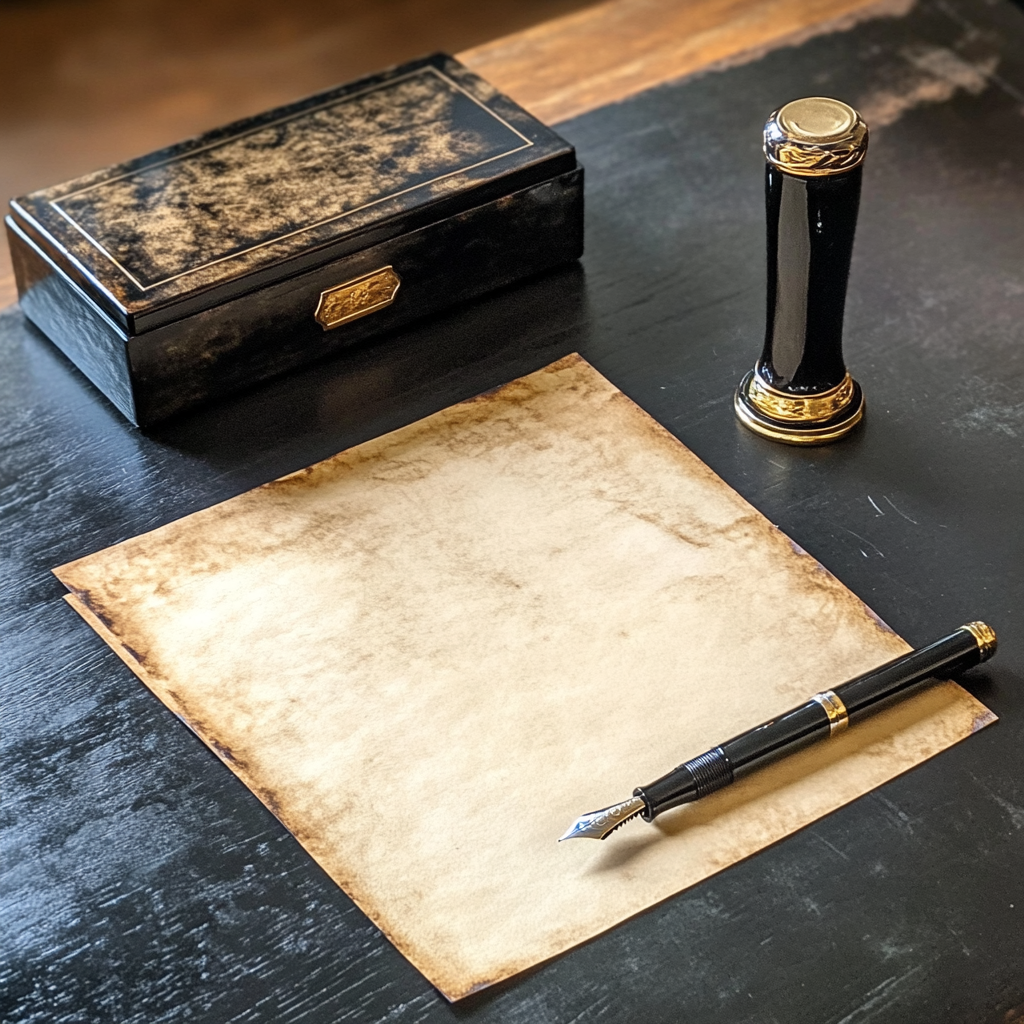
<point x="430" y="654"/>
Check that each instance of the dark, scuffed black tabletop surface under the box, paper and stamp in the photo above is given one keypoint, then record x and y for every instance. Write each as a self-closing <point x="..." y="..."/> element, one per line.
<point x="144" y="883"/>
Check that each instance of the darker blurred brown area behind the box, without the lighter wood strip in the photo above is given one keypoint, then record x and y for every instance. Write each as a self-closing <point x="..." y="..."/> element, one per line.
<point x="86" y="83"/>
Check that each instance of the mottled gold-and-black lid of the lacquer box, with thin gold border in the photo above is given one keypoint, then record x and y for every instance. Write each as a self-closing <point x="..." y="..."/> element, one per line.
<point x="185" y="229"/>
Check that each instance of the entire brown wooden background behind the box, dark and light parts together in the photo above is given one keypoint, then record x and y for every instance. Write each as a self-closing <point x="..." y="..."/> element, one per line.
<point x="87" y="83"/>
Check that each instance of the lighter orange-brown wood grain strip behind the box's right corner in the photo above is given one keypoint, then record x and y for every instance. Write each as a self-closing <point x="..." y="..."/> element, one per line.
<point x="573" y="65"/>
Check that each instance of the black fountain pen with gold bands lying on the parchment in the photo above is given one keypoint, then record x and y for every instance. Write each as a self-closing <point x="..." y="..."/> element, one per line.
<point x="826" y="714"/>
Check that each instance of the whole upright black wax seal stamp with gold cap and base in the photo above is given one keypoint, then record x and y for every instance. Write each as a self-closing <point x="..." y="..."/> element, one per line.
<point x="799" y="392"/>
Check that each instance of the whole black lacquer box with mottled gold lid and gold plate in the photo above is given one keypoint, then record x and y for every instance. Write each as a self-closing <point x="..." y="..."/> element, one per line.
<point x="204" y="268"/>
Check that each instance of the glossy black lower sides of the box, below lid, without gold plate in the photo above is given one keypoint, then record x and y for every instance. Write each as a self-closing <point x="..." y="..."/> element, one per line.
<point x="255" y="337"/>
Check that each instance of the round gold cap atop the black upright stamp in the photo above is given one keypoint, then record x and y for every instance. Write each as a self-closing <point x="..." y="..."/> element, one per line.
<point x="816" y="137"/>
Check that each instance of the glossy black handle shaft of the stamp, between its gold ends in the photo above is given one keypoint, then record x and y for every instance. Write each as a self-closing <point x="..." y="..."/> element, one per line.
<point x="812" y="225"/>
